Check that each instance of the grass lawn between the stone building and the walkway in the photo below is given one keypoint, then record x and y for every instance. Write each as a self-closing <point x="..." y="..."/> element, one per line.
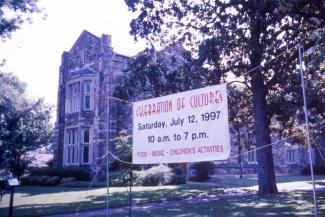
<point x="36" y="200"/>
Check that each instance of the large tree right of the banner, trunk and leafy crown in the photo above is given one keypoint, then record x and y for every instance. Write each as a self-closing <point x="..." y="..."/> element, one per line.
<point x="243" y="35"/>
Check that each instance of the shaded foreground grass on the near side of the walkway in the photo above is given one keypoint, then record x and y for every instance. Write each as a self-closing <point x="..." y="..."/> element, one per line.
<point x="284" y="204"/>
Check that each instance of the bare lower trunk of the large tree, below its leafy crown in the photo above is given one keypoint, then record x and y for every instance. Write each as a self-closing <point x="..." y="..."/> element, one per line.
<point x="266" y="175"/>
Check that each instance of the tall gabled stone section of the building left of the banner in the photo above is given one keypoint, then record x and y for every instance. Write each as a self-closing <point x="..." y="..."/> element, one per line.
<point x="88" y="74"/>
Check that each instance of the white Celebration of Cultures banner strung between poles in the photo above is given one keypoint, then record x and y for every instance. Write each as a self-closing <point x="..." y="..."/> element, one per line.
<point x="190" y="126"/>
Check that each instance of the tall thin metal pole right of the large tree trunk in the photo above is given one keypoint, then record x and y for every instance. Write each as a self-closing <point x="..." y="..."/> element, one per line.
<point x="307" y="130"/>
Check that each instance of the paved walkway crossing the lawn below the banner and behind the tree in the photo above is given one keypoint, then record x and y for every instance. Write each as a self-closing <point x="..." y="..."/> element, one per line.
<point x="282" y="187"/>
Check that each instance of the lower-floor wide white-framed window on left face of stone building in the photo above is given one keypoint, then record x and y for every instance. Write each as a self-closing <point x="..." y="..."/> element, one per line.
<point x="72" y="143"/>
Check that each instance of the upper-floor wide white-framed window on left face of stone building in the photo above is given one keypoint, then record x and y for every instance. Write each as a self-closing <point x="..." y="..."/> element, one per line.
<point x="73" y="99"/>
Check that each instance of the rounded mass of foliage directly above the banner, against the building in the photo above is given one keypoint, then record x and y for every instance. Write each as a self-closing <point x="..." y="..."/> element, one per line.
<point x="153" y="74"/>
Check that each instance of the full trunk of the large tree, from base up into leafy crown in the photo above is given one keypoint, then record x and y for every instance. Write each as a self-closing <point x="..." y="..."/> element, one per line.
<point x="265" y="171"/>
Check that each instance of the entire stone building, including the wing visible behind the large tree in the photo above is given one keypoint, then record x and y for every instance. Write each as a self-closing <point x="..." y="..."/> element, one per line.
<point x="88" y="74"/>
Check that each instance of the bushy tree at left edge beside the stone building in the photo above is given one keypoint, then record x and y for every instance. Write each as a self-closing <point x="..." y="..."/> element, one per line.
<point x="24" y="124"/>
